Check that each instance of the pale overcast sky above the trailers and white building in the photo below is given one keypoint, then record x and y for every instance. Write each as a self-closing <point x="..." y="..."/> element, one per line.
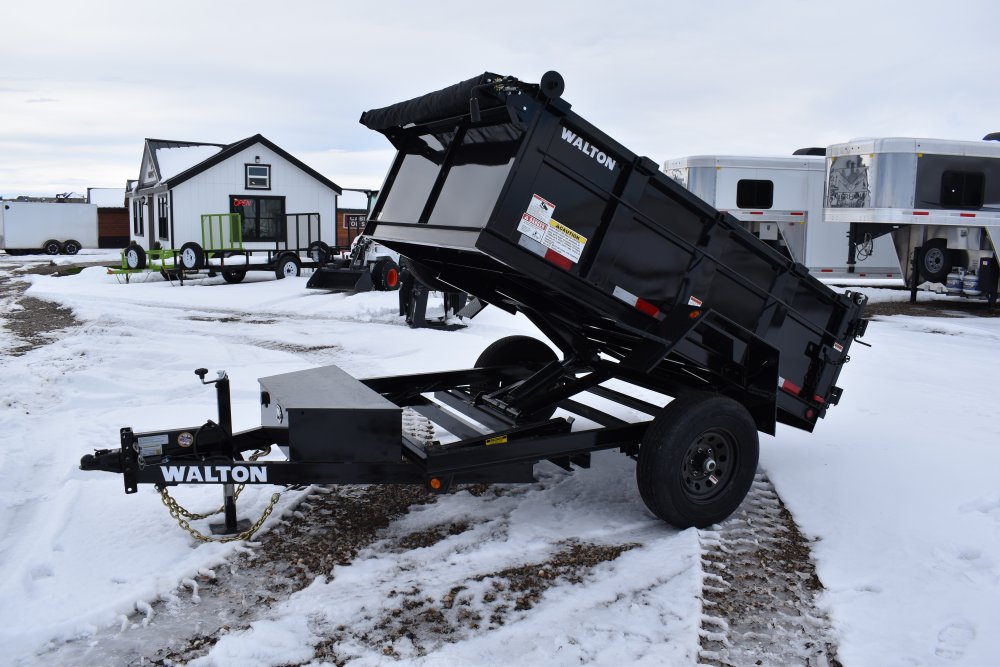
<point x="83" y="84"/>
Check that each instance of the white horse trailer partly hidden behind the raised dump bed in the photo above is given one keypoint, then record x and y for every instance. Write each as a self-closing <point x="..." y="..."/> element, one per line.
<point x="780" y="200"/>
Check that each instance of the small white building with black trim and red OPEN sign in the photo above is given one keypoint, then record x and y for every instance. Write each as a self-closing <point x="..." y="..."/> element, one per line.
<point x="281" y="201"/>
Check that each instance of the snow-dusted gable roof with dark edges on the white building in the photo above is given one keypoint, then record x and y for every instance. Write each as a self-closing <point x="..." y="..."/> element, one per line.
<point x="211" y="155"/>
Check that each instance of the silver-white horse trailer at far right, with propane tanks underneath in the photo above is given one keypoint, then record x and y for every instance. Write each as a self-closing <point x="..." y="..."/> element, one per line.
<point x="939" y="200"/>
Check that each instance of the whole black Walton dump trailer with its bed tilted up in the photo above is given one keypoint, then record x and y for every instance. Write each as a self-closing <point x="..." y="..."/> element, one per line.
<point x="501" y="191"/>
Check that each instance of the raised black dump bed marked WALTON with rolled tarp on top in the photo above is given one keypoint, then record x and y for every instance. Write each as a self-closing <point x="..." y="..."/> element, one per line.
<point x="531" y="208"/>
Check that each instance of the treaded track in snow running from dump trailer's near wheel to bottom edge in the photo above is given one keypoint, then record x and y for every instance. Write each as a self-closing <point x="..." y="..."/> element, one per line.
<point x="760" y="590"/>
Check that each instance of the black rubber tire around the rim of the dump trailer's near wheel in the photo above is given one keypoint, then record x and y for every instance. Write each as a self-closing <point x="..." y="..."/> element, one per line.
<point x="659" y="471"/>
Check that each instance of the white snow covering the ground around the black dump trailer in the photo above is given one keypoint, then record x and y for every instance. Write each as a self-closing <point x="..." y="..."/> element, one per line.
<point x="896" y="488"/>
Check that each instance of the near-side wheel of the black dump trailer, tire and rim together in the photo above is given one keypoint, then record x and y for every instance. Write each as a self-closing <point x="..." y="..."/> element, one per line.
<point x="697" y="460"/>
